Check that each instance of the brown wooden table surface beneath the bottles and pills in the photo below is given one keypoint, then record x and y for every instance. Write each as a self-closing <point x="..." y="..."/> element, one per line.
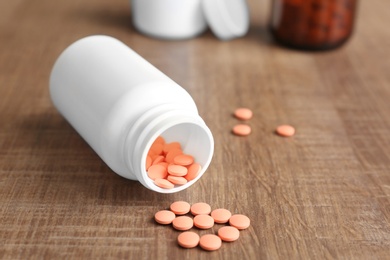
<point x="321" y="194"/>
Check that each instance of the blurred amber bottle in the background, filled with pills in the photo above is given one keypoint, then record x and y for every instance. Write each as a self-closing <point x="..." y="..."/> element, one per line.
<point x="313" y="24"/>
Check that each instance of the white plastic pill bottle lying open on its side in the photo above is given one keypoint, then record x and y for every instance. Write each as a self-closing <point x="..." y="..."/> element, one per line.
<point x="119" y="103"/>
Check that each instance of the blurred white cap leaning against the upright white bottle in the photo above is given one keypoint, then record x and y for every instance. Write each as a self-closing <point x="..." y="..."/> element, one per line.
<point x="227" y="19"/>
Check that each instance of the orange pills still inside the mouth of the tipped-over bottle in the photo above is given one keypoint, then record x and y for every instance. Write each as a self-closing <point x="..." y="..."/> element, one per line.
<point x="167" y="165"/>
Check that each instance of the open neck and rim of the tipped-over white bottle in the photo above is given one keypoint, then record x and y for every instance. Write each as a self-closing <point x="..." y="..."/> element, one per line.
<point x="174" y="124"/>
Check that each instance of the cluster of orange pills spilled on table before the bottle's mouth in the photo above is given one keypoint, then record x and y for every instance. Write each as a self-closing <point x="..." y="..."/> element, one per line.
<point x="202" y="217"/>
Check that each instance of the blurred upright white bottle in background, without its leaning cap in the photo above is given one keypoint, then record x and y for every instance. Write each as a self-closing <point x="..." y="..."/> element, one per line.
<point x="169" y="19"/>
